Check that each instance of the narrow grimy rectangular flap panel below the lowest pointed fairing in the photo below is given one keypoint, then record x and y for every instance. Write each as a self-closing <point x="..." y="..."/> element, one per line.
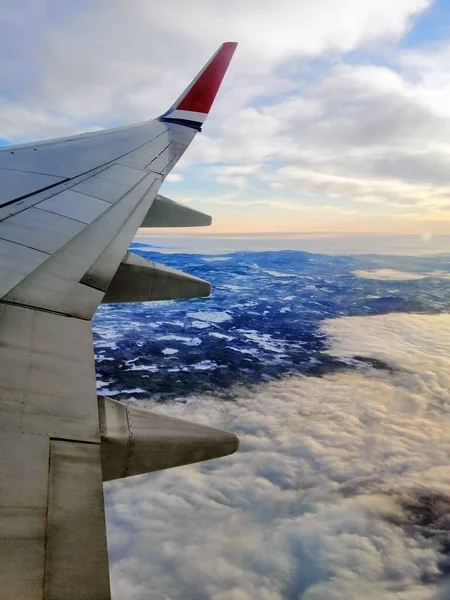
<point x="75" y="521"/>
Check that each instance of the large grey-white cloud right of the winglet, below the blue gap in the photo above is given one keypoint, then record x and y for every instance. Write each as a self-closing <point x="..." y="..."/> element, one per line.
<point x="358" y="132"/>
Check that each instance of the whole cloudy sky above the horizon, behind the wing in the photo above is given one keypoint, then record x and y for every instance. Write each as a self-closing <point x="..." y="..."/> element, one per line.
<point x="334" y="115"/>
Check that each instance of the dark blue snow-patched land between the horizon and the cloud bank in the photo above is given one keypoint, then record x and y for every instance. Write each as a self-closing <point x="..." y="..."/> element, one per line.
<point x="262" y="322"/>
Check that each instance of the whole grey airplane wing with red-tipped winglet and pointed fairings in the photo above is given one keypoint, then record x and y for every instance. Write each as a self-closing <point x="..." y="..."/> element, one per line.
<point x="69" y="209"/>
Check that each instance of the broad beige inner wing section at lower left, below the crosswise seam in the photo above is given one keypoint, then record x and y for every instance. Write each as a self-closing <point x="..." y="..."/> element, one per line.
<point x="47" y="394"/>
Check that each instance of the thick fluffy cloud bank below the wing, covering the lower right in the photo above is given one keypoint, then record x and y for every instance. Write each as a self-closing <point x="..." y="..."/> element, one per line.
<point x="340" y="489"/>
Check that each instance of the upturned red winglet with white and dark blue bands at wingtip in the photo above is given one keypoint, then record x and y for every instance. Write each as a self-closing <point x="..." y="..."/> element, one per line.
<point x="192" y="107"/>
